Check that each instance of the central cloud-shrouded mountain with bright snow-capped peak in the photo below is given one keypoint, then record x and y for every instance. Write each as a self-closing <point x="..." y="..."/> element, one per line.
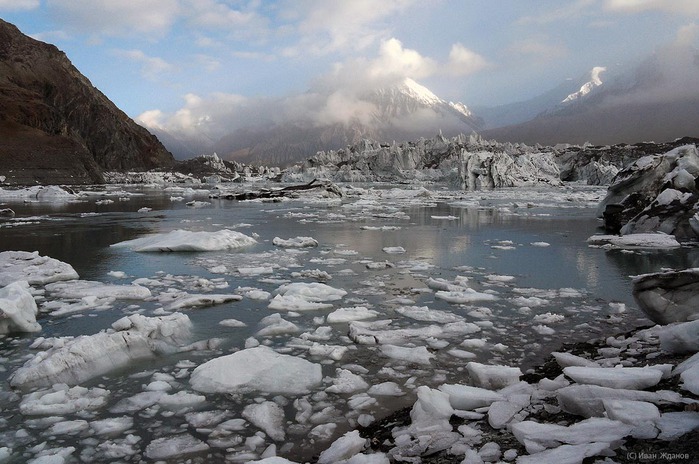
<point x="404" y="111"/>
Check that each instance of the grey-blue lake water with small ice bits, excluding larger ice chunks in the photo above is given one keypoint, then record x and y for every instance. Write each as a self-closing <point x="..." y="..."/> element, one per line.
<point x="526" y="248"/>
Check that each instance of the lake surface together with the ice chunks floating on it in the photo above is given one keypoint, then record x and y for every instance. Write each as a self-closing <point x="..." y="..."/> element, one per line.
<point x="363" y="337"/>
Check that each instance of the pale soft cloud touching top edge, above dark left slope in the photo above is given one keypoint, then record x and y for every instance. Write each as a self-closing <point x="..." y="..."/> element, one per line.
<point x="116" y="17"/>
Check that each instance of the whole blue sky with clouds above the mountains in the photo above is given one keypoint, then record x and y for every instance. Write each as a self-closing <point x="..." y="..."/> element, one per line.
<point x="161" y="59"/>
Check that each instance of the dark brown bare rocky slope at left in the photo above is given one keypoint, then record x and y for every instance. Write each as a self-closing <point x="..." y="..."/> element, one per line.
<point x="55" y="126"/>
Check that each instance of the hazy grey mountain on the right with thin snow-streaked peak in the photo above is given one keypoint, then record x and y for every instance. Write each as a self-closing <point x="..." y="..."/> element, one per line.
<point x="658" y="100"/>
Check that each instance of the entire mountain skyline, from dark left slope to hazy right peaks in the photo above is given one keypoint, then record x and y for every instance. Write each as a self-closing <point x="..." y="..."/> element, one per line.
<point x="55" y="127"/>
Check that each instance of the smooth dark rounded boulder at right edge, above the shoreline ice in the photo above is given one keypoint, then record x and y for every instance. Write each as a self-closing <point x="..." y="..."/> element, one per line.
<point x="667" y="297"/>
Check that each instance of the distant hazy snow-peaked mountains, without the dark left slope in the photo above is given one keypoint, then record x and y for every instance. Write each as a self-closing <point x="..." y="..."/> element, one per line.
<point x="657" y="100"/>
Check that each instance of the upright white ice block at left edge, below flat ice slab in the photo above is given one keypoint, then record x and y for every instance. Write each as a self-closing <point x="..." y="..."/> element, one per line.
<point x="18" y="309"/>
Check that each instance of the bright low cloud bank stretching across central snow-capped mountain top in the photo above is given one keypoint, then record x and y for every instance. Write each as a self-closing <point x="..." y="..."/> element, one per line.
<point x="340" y="96"/>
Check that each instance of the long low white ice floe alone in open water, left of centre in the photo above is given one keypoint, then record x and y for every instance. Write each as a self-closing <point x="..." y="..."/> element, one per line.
<point x="184" y="240"/>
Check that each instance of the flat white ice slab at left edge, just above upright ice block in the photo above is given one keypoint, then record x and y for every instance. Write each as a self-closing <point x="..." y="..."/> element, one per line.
<point x="35" y="269"/>
